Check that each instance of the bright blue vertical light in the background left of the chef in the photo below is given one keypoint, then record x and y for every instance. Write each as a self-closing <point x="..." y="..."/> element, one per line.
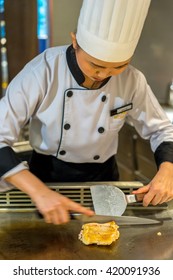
<point x="42" y="25"/>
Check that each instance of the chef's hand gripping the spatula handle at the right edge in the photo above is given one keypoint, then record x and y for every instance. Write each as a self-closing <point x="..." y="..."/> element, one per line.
<point x="160" y="189"/>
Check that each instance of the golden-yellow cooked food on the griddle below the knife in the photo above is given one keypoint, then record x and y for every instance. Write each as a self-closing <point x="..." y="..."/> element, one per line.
<point x="100" y="234"/>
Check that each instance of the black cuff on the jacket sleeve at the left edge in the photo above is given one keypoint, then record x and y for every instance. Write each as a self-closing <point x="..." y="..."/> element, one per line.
<point x="8" y="160"/>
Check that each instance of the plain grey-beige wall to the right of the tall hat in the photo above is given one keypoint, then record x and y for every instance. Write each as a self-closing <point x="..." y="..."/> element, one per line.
<point x="156" y="46"/>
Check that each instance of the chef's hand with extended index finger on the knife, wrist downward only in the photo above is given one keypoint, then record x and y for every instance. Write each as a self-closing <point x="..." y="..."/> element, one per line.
<point x="55" y="207"/>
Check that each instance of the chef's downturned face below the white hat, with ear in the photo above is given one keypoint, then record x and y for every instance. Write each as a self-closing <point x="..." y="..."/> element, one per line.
<point x="95" y="69"/>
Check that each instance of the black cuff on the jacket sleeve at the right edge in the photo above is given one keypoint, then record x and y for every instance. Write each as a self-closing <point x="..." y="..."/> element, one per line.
<point x="164" y="152"/>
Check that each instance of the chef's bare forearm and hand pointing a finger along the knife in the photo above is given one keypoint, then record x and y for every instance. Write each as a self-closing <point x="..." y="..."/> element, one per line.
<point x="53" y="206"/>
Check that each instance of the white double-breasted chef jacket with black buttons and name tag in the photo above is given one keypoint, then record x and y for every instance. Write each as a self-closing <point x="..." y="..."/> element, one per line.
<point x="71" y="122"/>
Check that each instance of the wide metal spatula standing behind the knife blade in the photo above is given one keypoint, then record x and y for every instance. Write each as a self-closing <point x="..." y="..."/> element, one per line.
<point x="110" y="200"/>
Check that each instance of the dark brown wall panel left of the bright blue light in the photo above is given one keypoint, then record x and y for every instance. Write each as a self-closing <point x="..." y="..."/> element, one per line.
<point x="21" y="33"/>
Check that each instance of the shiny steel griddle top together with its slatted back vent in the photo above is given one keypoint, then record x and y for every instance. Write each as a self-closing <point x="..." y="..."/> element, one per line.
<point x="24" y="236"/>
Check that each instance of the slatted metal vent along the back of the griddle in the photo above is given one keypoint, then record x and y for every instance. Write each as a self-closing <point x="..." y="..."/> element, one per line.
<point x="15" y="200"/>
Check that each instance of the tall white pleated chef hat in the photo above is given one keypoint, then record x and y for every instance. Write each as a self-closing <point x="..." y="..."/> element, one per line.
<point x="109" y="30"/>
